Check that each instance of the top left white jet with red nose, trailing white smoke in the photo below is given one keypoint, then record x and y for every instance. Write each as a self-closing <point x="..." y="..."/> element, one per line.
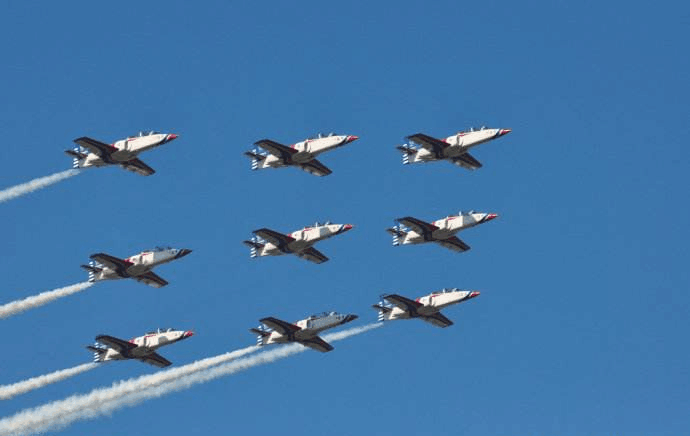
<point x="94" y="153"/>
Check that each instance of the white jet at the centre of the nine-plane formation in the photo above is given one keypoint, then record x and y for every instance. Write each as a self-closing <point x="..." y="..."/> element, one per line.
<point x="267" y="242"/>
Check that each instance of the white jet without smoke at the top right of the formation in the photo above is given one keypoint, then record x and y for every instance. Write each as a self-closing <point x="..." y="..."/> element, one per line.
<point x="453" y="148"/>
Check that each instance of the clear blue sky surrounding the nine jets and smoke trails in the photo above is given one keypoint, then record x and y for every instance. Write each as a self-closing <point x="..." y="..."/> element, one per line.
<point x="581" y="328"/>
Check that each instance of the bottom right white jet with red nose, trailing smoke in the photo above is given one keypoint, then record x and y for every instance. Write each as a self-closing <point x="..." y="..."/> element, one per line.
<point x="426" y="308"/>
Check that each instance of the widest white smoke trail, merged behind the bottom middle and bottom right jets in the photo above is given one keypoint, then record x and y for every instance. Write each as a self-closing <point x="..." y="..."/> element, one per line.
<point x="59" y="414"/>
